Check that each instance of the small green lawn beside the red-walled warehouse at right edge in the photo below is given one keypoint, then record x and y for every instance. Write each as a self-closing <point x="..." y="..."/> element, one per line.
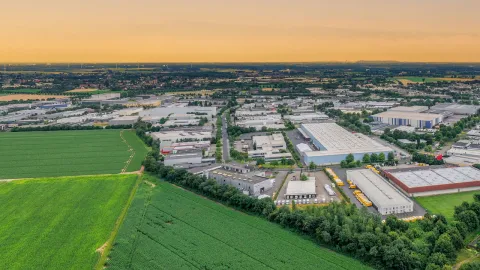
<point x="445" y="204"/>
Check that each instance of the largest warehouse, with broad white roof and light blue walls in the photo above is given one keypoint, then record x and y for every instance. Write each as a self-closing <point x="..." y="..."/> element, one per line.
<point x="334" y="143"/>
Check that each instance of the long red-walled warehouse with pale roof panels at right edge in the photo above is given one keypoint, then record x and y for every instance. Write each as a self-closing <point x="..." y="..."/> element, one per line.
<point x="426" y="181"/>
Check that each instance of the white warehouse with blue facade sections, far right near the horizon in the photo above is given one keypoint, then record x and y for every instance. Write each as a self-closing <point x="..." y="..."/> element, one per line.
<point x="403" y="118"/>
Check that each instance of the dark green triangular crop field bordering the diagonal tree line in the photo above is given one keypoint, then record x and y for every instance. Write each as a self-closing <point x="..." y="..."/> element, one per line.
<point x="169" y="228"/>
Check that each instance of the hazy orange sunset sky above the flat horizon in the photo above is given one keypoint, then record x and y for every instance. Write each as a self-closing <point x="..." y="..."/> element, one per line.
<point x="191" y="31"/>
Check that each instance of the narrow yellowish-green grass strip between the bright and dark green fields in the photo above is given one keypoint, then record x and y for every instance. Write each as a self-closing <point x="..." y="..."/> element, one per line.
<point x="105" y="248"/>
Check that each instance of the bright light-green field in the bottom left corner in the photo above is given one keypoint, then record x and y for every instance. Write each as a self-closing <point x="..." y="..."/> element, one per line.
<point x="59" y="223"/>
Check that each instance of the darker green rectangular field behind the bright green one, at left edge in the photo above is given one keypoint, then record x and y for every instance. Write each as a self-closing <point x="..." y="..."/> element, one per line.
<point x="61" y="153"/>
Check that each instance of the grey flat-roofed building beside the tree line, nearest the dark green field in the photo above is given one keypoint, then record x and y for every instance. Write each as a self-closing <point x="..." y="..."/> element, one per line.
<point x="252" y="183"/>
